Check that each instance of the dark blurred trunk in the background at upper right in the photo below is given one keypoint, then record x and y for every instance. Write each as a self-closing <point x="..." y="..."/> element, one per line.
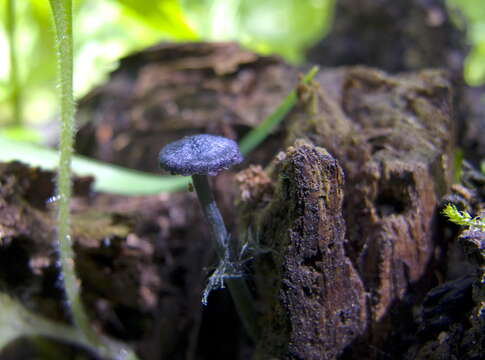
<point x="408" y="35"/>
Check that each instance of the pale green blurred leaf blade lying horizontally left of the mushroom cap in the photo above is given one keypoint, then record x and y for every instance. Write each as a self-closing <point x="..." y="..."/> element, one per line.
<point x="108" y="178"/>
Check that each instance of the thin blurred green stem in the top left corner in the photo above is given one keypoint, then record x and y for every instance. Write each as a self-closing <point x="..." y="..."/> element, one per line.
<point x="16" y="95"/>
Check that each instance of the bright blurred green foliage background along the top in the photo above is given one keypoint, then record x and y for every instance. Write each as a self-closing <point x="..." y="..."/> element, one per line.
<point x="105" y="30"/>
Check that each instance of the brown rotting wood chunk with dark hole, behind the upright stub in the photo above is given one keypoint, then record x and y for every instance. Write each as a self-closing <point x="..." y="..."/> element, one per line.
<point x="395" y="151"/>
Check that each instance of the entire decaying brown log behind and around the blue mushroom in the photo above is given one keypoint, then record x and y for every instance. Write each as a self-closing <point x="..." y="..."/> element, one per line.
<point x="331" y="278"/>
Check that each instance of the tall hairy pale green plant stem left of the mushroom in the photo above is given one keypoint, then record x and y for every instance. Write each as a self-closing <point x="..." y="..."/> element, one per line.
<point x="62" y="11"/>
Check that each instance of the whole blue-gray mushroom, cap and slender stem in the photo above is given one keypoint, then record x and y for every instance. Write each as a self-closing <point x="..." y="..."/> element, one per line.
<point x="201" y="156"/>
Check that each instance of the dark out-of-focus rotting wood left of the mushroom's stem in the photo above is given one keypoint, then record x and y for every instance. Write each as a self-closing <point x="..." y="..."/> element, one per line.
<point x="139" y="263"/>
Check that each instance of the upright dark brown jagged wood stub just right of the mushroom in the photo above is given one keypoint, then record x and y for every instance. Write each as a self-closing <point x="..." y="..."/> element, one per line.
<point x="314" y="303"/>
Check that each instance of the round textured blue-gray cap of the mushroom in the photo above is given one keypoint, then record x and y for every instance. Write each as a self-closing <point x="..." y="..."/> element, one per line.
<point x="200" y="154"/>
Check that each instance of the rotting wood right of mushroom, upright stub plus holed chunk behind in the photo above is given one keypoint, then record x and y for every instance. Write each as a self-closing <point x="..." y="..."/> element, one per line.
<point x="392" y="136"/>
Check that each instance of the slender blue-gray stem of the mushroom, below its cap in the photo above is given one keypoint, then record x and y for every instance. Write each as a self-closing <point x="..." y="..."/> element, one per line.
<point x="238" y="288"/>
